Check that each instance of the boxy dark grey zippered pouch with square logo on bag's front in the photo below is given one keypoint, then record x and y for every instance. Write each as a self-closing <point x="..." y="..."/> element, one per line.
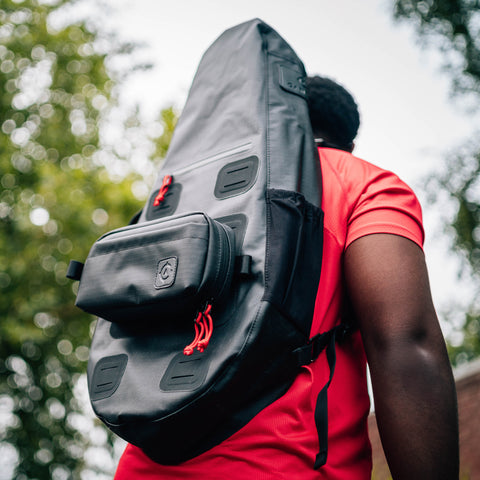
<point x="157" y="270"/>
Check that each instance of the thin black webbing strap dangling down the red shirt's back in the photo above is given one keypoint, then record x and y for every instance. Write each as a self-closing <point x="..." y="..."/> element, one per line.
<point x="321" y="408"/>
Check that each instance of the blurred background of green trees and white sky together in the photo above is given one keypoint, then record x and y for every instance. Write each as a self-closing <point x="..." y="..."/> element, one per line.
<point x="89" y="95"/>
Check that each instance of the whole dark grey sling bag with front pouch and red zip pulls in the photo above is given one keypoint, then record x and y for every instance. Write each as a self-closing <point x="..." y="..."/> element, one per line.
<point x="206" y="303"/>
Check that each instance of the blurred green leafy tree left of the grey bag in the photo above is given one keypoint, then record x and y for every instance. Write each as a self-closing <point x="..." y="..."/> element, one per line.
<point x="62" y="186"/>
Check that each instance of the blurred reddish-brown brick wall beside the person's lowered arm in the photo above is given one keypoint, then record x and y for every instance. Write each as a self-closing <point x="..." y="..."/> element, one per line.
<point x="467" y="380"/>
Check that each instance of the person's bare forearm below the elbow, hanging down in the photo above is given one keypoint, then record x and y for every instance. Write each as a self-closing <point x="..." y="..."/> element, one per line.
<point x="415" y="404"/>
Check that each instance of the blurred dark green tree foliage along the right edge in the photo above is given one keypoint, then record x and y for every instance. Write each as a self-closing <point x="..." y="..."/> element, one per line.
<point x="453" y="27"/>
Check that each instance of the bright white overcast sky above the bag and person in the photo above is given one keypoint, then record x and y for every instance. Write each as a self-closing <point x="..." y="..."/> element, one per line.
<point x="408" y="120"/>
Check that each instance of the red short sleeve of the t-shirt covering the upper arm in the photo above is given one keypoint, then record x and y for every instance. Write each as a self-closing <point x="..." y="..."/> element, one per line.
<point x="385" y="204"/>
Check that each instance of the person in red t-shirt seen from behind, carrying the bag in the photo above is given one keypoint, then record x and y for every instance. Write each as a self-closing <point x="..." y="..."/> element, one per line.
<point x="373" y="256"/>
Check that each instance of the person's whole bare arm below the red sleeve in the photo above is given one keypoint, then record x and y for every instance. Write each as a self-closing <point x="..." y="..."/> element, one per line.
<point x="413" y="387"/>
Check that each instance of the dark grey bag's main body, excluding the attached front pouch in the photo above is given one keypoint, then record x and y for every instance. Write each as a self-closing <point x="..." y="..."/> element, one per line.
<point x="246" y="107"/>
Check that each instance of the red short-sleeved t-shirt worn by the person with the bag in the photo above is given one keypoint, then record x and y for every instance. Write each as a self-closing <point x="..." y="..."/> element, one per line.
<point x="281" y="442"/>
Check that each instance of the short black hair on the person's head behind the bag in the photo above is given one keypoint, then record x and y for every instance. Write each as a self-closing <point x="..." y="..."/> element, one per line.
<point x="333" y="111"/>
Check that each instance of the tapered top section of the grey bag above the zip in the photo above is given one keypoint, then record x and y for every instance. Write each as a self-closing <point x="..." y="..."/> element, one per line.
<point x="248" y="96"/>
